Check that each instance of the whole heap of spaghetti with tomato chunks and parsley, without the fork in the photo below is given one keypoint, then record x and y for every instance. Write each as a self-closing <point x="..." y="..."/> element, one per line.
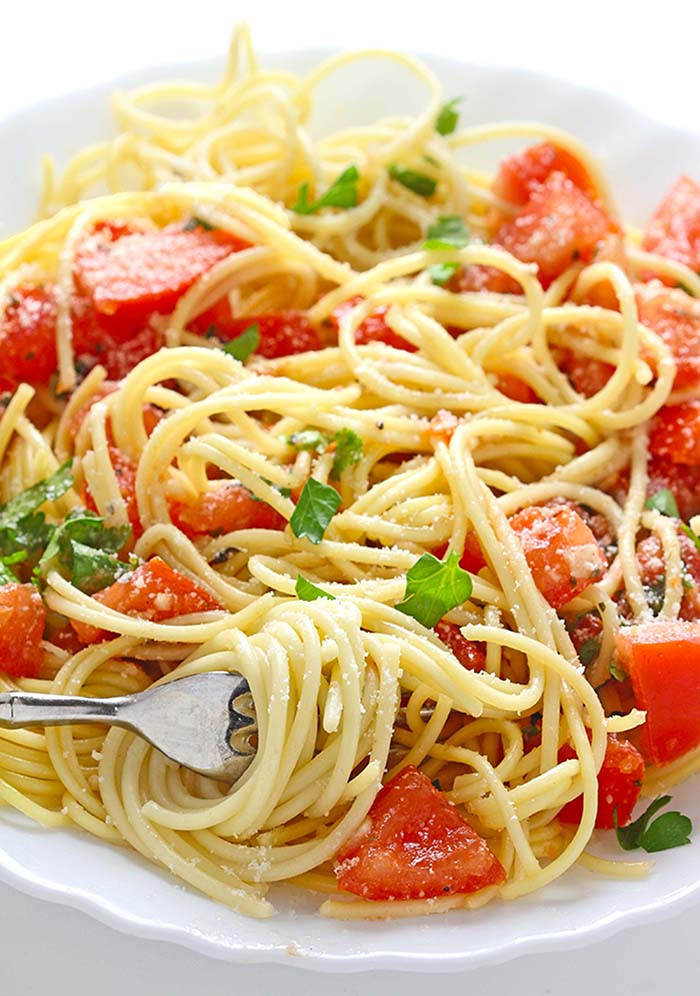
<point x="413" y="448"/>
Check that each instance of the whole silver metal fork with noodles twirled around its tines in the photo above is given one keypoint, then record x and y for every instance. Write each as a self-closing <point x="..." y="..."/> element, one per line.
<point x="205" y="722"/>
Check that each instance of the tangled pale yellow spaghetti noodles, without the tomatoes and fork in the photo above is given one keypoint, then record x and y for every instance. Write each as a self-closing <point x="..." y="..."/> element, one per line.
<point x="341" y="684"/>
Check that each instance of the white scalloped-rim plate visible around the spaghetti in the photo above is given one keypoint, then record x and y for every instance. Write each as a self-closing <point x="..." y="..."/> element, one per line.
<point x="641" y="157"/>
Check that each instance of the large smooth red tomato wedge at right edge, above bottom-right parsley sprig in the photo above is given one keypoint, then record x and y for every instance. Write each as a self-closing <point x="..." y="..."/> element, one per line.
<point x="663" y="661"/>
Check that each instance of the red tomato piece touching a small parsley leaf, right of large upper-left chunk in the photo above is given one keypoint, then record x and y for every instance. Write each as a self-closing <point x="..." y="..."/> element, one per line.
<point x="283" y="333"/>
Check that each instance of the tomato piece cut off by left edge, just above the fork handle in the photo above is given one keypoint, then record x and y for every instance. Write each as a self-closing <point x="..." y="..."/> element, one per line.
<point x="22" y="618"/>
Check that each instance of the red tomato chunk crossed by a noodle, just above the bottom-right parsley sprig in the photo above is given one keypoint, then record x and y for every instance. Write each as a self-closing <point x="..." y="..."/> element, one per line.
<point x="619" y="785"/>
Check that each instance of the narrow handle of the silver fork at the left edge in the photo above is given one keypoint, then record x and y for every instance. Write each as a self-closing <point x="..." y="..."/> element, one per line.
<point x="30" y="709"/>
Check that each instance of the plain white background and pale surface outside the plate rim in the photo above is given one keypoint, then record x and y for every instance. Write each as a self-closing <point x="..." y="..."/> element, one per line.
<point x="644" y="52"/>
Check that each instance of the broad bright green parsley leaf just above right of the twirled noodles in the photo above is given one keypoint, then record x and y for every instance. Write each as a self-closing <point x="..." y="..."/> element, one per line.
<point x="433" y="587"/>
